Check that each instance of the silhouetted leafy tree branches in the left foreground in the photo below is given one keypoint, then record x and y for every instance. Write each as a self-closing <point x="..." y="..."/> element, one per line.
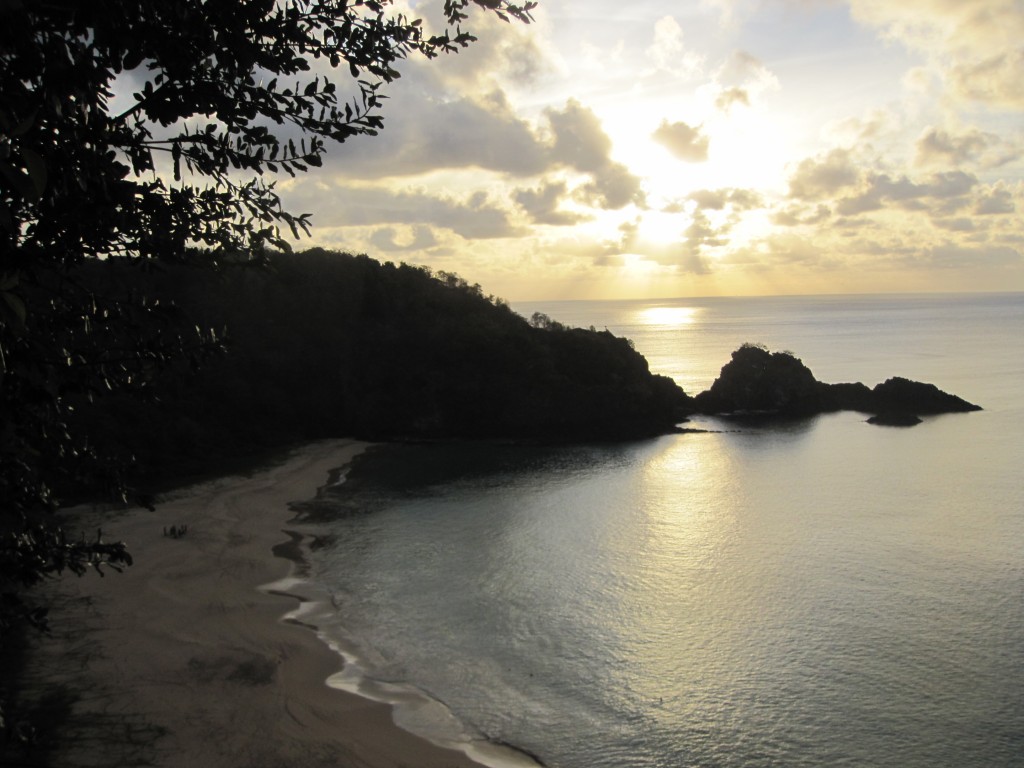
<point x="141" y="131"/>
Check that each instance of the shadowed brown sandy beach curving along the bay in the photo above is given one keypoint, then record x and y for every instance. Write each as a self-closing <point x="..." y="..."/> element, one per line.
<point x="183" y="662"/>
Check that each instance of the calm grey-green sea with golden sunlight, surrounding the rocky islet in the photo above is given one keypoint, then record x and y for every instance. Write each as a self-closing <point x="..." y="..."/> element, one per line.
<point x="817" y="593"/>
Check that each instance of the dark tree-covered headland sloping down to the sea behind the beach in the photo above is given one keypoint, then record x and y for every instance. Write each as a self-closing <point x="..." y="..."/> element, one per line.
<point x="326" y="345"/>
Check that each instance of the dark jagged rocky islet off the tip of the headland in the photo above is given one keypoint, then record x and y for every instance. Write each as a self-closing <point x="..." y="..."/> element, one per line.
<point x="757" y="382"/>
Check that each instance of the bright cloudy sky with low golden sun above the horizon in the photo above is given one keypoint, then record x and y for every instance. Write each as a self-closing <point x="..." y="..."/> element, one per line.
<point x="641" y="149"/>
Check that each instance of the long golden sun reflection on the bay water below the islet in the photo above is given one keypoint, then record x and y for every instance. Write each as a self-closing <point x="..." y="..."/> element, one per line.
<point x="678" y="585"/>
